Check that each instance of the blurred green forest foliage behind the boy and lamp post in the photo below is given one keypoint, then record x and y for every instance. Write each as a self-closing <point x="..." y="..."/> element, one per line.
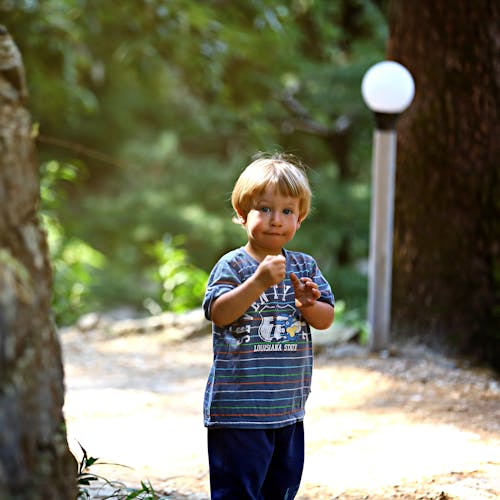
<point x="146" y="111"/>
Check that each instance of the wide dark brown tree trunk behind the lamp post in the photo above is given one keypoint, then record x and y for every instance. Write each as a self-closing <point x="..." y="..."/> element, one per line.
<point x="447" y="214"/>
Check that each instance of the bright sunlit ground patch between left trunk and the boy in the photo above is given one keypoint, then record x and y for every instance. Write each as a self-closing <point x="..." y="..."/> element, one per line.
<point x="108" y="424"/>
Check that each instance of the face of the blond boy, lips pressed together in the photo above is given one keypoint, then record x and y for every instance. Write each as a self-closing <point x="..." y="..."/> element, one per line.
<point x="271" y="222"/>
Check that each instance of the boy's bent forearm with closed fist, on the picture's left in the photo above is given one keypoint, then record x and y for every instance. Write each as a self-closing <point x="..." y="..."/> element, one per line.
<point x="233" y="304"/>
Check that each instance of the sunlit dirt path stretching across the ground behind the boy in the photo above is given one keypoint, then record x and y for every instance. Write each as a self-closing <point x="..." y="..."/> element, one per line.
<point x="413" y="426"/>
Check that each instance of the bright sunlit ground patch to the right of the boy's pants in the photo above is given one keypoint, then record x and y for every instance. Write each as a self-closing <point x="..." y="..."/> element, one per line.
<point x="410" y="452"/>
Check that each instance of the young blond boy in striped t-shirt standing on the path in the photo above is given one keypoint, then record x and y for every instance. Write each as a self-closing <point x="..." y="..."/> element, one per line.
<point x="261" y="300"/>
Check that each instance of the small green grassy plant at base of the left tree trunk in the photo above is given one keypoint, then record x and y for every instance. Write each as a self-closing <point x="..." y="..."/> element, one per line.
<point x="116" y="489"/>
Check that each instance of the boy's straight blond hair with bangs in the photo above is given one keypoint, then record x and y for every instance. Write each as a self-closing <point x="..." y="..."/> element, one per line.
<point x="284" y="173"/>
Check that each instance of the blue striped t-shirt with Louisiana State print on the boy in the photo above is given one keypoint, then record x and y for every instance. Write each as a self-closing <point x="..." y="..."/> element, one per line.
<point x="262" y="367"/>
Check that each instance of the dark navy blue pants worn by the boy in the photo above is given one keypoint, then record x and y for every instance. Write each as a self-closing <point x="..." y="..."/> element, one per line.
<point x="252" y="464"/>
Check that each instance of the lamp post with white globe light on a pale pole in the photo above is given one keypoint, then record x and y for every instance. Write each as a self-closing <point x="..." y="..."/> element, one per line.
<point x="387" y="89"/>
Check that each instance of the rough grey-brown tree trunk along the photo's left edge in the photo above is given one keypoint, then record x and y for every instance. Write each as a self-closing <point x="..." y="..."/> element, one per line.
<point x="35" y="462"/>
